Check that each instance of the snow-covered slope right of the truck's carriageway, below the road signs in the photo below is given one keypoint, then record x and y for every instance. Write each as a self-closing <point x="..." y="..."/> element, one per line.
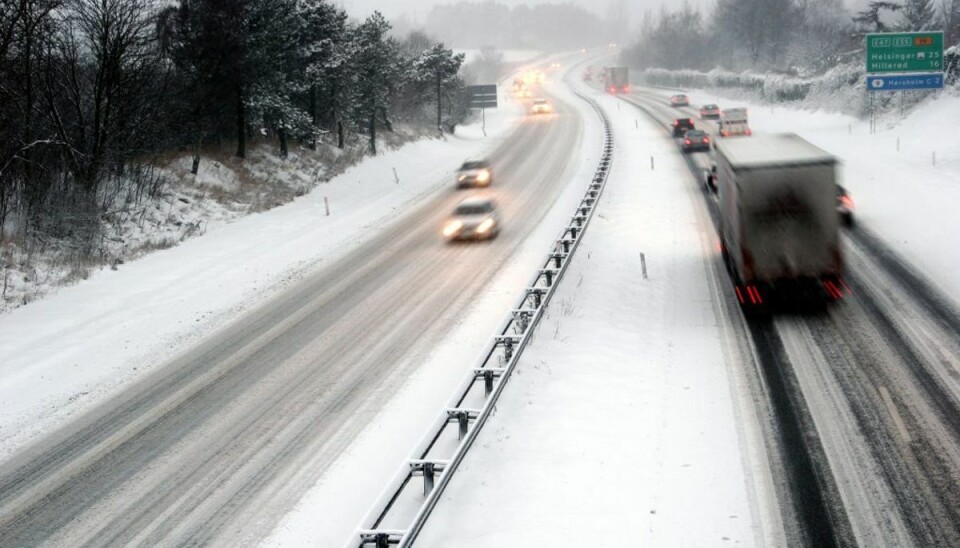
<point x="905" y="178"/>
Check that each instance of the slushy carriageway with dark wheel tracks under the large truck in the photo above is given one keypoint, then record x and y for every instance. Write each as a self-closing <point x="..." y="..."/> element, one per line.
<point x="865" y="399"/>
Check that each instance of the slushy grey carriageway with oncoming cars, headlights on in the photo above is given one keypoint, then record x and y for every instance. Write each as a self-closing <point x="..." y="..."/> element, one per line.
<point x="215" y="446"/>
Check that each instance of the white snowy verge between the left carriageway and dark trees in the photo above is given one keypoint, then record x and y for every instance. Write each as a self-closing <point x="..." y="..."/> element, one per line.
<point x="64" y="354"/>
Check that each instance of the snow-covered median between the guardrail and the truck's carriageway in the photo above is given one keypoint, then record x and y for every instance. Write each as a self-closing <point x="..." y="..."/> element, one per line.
<point x="622" y="420"/>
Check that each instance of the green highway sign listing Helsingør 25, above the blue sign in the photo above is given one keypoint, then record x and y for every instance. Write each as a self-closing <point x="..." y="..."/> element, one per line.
<point x="905" y="52"/>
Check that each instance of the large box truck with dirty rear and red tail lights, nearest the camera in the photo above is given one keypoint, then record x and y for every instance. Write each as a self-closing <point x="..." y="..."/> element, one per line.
<point x="779" y="229"/>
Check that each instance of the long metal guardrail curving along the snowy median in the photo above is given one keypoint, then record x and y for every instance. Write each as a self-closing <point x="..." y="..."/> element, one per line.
<point x="475" y="398"/>
